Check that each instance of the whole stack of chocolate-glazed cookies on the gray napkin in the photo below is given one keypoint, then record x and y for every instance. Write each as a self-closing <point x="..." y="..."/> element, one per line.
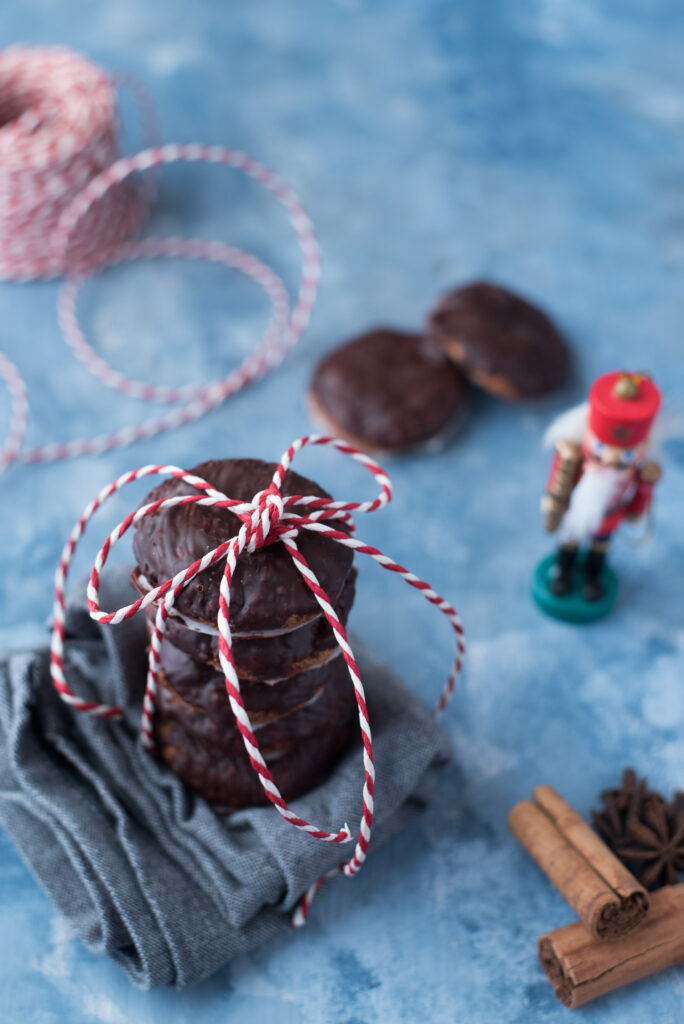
<point x="295" y="687"/>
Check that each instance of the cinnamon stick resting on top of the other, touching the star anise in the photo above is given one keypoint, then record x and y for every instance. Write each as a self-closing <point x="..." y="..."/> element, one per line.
<point x="605" y="894"/>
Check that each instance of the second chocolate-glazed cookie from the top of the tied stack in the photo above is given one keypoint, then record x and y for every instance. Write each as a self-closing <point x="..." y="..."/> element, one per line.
<point x="261" y="658"/>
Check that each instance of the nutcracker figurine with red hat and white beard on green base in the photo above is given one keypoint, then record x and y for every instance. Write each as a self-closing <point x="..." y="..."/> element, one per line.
<point x="600" y="477"/>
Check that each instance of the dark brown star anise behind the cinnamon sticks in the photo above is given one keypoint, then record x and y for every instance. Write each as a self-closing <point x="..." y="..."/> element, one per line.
<point x="644" y="831"/>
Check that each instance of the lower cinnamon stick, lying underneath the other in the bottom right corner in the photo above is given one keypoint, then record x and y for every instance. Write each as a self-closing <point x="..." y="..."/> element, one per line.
<point x="580" y="968"/>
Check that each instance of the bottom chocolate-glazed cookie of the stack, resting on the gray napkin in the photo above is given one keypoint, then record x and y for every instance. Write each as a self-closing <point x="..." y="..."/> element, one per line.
<point x="230" y="783"/>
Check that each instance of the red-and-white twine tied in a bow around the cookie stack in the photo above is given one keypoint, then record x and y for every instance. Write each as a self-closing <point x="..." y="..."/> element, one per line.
<point x="270" y="518"/>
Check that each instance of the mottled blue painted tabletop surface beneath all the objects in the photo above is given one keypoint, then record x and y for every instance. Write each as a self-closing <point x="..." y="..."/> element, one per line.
<point x="540" y="144"/>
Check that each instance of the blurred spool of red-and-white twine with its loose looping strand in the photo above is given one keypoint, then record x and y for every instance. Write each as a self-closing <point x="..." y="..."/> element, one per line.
<point x="67" y="207"/>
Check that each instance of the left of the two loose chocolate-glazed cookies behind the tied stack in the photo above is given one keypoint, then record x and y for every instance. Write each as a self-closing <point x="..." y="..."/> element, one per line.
<point x="389" y="392"/>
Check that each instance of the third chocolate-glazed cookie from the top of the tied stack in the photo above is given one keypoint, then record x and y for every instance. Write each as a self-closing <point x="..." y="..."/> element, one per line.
<point x="291" y="712"/>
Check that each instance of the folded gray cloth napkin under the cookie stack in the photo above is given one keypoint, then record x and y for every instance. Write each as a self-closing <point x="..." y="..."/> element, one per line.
<point x="143" y="868"/>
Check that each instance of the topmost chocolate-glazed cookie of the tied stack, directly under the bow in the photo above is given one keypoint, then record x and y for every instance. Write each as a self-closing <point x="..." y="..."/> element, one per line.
<point x="268" y="591"/>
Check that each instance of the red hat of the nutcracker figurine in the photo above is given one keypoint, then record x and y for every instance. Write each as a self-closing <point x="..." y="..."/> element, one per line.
<point x="622" y="408"/>
